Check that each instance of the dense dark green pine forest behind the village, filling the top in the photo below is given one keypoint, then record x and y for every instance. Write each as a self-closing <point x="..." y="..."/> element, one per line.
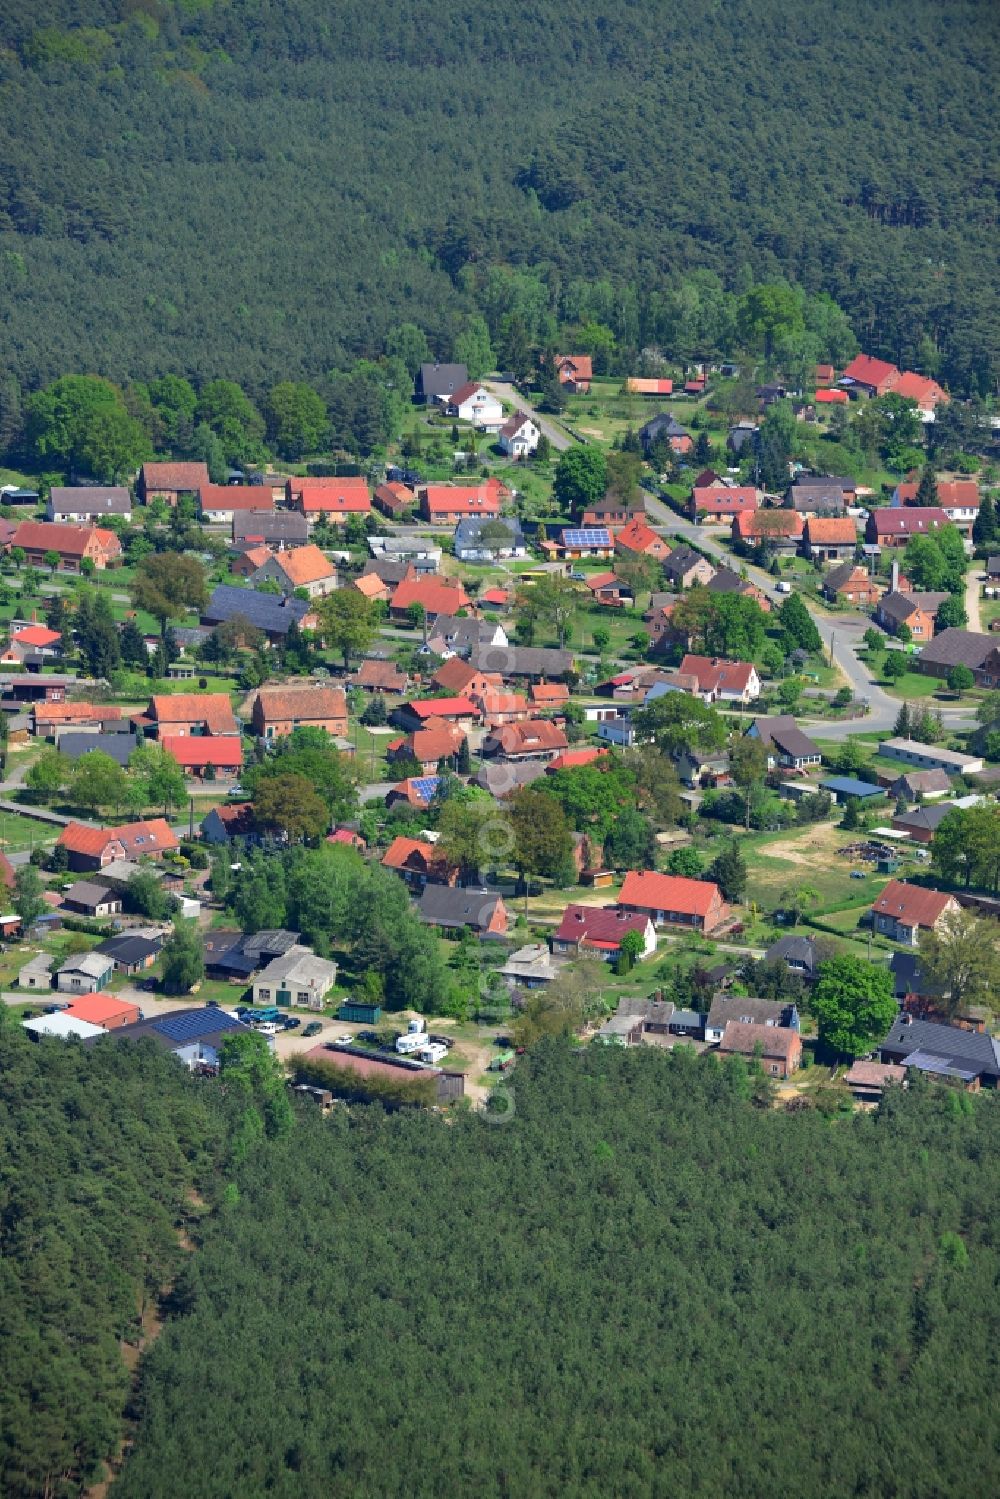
<point x="257" y="191"/>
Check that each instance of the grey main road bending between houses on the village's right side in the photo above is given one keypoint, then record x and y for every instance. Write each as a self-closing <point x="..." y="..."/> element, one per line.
<point x="842" y="635"/>
